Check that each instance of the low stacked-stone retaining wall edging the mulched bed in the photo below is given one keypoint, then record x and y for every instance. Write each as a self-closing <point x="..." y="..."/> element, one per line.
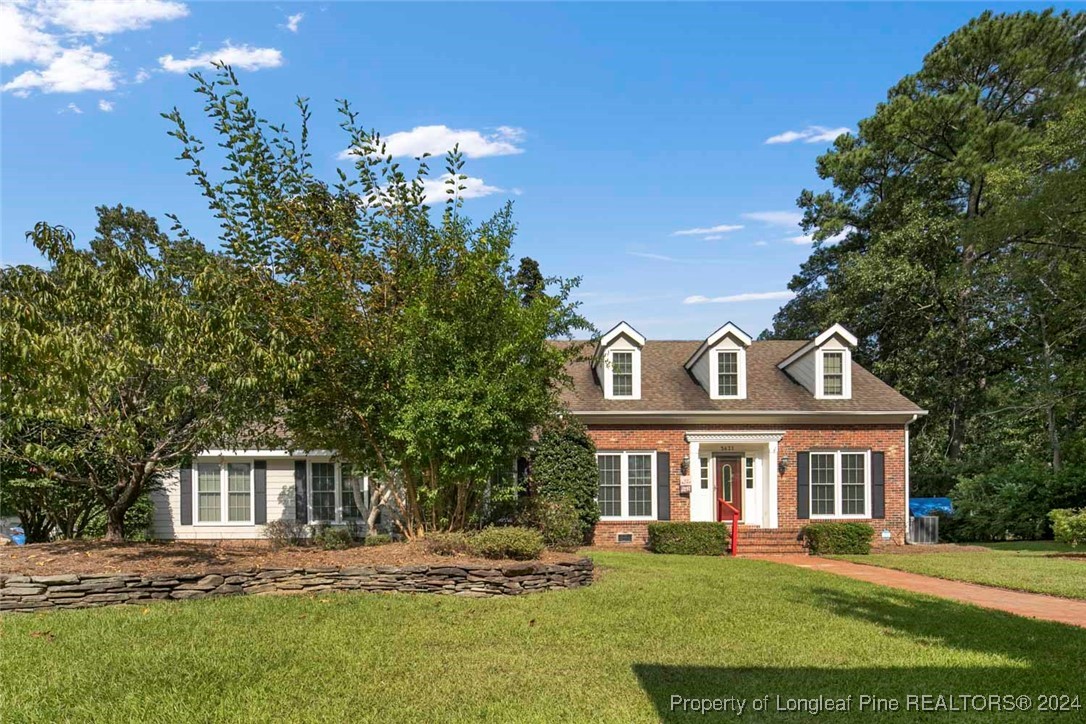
<point x="44" y="593"/>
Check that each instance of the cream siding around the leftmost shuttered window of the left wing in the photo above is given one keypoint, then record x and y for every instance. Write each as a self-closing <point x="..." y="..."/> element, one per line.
<point x="168" y="507"/>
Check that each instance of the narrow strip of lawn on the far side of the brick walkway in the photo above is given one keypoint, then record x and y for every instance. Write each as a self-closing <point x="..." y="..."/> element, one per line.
<point x="1021" y="566"/>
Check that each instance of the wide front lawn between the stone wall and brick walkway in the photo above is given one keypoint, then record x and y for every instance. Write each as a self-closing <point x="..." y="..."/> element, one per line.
<point x="652" y="628"/>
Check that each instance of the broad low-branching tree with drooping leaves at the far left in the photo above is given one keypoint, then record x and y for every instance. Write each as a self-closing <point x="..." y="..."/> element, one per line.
<point x="122" y="361"/>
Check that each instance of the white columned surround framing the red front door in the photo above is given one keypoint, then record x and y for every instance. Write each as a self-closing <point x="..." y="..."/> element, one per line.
<point x="760" y="503"/>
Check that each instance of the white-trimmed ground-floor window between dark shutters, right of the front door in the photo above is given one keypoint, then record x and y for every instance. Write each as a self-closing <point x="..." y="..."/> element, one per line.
<point x="841" y="485"/>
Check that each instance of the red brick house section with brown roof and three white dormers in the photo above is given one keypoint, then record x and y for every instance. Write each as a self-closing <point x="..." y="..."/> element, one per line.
<point x="786" y="433"/>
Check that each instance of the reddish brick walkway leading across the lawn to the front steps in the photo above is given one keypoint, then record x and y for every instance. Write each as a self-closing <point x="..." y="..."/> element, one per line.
<point x="1034" y="606"/>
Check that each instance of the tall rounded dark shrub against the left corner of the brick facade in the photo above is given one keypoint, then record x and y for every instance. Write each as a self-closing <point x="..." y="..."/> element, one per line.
<point x="564" y="467"/>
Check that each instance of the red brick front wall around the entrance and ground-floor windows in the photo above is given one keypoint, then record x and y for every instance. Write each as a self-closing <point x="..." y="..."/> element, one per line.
<point x="889" y="439"/>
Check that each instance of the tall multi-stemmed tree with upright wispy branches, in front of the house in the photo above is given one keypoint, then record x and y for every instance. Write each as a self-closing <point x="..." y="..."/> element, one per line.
<point x="430" y="365"/>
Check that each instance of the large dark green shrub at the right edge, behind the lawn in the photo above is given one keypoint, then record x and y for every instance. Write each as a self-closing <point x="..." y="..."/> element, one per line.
<point x="1014" y="502"/>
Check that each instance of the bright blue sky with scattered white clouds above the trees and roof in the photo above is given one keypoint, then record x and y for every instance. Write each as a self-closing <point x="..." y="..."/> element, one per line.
<point x="656" y="151"/>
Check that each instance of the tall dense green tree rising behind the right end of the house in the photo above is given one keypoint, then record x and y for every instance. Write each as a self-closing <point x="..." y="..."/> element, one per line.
<point x="939" y="225"/>
